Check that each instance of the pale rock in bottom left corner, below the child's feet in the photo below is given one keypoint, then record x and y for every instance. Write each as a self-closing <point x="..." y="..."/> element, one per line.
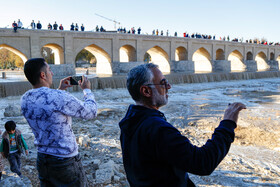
<point x="15" y="181"/>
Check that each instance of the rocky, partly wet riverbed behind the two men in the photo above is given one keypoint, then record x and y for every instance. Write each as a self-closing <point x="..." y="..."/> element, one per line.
<point x="195" y="109"/>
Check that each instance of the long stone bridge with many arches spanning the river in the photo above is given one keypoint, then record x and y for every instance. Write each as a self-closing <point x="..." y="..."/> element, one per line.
<point x="116" y="53"/>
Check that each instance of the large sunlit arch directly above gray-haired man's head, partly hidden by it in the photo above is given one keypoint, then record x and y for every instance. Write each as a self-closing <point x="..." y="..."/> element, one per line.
<point x="159" y="57"/>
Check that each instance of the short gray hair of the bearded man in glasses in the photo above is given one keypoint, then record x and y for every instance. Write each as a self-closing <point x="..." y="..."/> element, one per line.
<point x="137" y="77"/>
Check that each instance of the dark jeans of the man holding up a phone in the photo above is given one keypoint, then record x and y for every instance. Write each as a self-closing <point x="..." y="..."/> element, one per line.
<point x="58" y="171"/>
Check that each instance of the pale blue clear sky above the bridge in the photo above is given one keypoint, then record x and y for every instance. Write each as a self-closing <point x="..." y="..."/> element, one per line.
<point x="247" y="19"/>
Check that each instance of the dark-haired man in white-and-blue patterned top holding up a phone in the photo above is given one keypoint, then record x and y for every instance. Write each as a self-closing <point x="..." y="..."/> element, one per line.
<point x="49" y="113"/>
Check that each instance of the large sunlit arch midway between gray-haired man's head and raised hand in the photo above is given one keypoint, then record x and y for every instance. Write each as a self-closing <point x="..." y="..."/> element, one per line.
<point x="202" y="60"/>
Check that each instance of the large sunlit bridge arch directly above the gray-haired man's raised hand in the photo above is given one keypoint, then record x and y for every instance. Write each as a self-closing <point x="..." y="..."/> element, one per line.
<point x="236" y="60"/>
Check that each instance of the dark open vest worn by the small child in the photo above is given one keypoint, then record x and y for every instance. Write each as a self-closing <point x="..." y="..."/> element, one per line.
<point x="6" y="143"/>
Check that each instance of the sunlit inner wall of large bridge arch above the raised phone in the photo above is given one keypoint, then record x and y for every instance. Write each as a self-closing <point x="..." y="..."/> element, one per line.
<point x="103" y="60"/>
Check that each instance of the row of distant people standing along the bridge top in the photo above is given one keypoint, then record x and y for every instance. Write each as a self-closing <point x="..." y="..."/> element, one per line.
<point x="33" y="25"/>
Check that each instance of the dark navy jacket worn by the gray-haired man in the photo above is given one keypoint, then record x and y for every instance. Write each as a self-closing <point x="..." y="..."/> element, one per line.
<point x="156" y="154"/>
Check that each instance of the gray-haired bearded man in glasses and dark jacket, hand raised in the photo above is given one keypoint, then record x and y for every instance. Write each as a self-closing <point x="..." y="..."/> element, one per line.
<point x="154" y="152"/>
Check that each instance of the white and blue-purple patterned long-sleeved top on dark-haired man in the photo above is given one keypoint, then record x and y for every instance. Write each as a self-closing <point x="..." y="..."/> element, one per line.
<point x="49" y="113"/>
